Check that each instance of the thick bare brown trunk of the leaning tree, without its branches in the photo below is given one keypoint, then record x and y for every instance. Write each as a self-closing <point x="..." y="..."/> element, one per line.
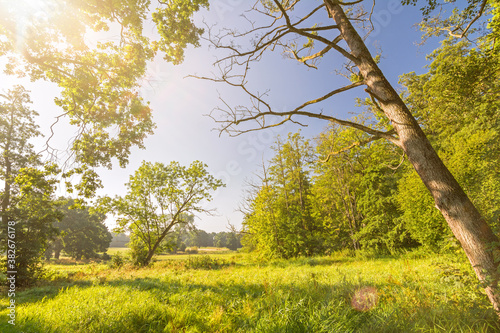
<point x="466" y="223"/>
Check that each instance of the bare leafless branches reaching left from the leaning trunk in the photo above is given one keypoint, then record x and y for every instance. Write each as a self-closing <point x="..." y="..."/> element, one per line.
<point x="259" y="111"/>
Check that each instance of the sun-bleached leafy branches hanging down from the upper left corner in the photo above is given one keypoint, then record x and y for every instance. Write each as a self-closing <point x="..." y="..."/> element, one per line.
<point x="61" y="41"/>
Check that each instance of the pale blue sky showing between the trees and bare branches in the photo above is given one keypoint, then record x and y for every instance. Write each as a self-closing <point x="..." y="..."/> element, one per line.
<point x="184" y="134"/>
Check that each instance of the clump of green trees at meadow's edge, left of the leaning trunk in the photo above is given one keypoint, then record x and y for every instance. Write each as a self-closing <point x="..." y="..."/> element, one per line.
<point x="349" y="202"/>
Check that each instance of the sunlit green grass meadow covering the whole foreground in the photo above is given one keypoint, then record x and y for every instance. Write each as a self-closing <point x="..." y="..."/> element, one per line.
<point x="244" y="294"/>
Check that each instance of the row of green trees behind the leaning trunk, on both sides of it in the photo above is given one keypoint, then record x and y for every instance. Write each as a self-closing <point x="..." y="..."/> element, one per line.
<point x="315" y="197"/>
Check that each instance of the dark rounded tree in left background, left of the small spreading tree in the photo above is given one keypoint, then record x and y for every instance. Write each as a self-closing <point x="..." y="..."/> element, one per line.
<point x="82" y="232"/>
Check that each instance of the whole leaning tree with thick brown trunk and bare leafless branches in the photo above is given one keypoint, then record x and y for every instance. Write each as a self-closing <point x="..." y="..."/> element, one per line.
<point x="468" y="226"/>
